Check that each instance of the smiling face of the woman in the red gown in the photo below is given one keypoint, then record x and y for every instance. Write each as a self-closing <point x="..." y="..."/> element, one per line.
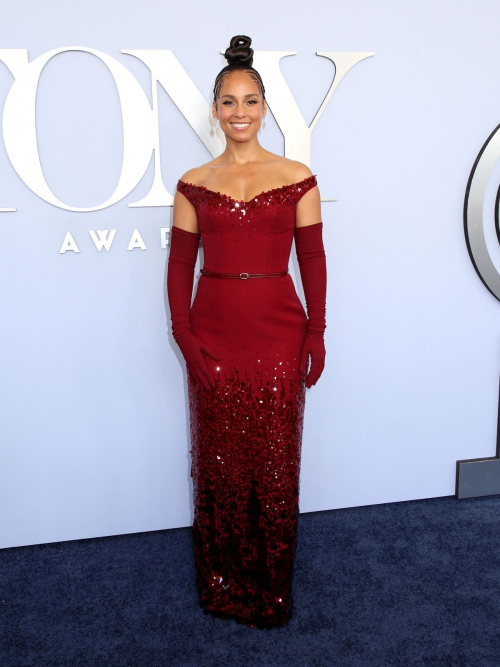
<point x="240" y="106"/>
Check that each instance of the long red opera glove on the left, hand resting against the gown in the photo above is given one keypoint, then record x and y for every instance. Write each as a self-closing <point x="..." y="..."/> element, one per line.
<point x="180" y="278"/>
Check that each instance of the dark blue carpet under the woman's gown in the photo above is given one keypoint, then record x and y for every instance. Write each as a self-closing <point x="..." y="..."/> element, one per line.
<point x="409" y="584"/>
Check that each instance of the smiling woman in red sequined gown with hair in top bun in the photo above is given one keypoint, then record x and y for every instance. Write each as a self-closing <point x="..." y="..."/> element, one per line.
<point x="246" y="341"/>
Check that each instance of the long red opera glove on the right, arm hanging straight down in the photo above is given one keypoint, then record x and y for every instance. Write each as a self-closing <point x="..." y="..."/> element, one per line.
<point x="312" y="263"/>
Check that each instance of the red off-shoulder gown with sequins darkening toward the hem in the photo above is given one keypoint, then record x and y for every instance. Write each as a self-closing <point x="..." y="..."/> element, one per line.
<point x="246" y="432"/>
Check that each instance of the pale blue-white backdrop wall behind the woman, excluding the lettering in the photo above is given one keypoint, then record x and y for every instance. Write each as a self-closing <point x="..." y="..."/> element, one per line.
<point x="94" y="425"/>
